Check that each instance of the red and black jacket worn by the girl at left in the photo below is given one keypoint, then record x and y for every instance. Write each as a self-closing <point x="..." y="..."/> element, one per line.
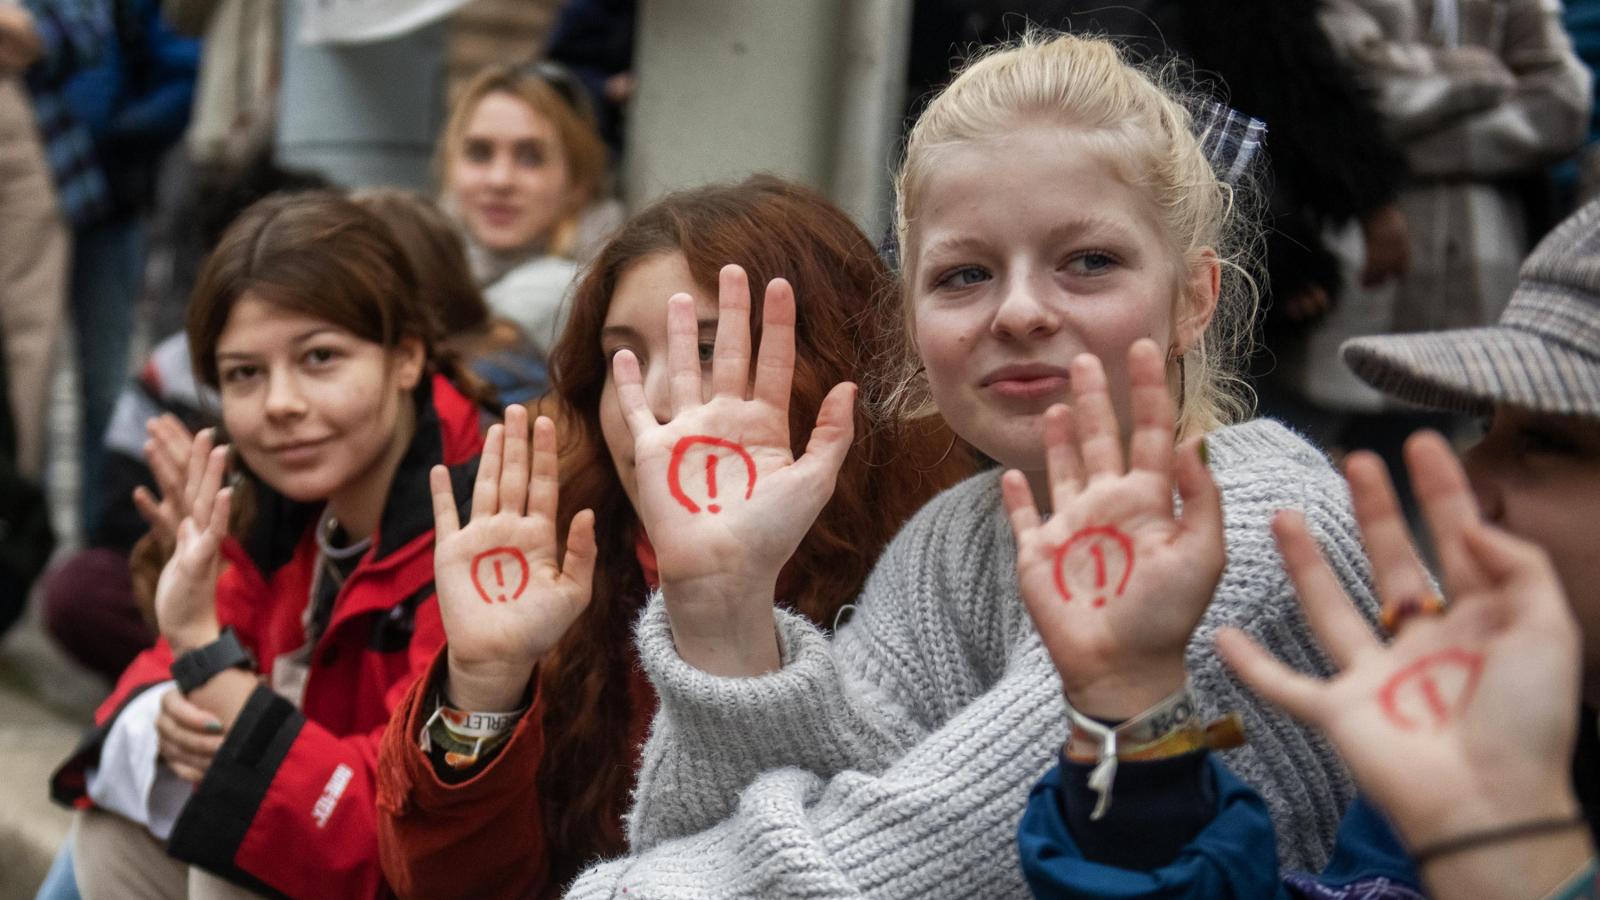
<point x="289" y="805"/>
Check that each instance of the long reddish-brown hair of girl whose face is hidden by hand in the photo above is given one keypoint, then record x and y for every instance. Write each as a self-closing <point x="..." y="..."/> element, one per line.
<point x="774" y="230"/>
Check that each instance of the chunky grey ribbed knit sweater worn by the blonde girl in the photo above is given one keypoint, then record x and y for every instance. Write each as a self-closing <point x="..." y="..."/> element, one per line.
<point x="895" y="758"/>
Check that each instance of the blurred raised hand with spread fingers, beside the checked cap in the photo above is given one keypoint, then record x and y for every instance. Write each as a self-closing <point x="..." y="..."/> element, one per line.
<point x="1466" y="721"/>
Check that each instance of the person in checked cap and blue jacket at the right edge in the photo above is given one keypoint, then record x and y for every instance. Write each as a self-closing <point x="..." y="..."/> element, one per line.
<point x="1474" y="728"/>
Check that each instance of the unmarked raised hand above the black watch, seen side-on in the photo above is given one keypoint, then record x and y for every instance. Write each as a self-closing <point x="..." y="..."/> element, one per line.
<point x="186" y="593"/>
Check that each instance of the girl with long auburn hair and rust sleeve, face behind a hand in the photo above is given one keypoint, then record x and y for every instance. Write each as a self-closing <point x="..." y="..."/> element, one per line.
<point x="529" y="814"/>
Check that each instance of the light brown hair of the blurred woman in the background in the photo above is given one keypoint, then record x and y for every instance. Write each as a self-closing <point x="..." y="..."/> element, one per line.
<point x="575" y="129"/>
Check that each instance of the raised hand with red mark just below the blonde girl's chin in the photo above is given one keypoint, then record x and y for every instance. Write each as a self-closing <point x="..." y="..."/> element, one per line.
<point x="1114" y="582"/>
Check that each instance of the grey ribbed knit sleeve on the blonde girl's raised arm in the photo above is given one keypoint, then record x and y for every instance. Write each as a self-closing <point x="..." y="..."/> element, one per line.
<point x="852" y="704"/>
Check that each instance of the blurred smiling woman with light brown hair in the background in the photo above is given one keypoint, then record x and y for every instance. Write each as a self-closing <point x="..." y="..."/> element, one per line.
<point x="521" y="167"/>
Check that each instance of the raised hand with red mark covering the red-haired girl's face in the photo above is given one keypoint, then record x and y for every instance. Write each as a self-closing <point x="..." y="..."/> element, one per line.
<point x="721" y="494"/>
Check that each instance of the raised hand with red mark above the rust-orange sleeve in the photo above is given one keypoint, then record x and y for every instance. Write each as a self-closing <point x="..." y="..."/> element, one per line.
<point x="505" y="590"/>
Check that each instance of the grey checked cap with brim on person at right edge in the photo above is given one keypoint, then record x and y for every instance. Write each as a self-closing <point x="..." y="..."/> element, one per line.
<point x="1545" y="353"/>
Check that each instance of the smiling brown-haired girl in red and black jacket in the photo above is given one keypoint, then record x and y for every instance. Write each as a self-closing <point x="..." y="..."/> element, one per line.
<point x="295" y="632"/>
